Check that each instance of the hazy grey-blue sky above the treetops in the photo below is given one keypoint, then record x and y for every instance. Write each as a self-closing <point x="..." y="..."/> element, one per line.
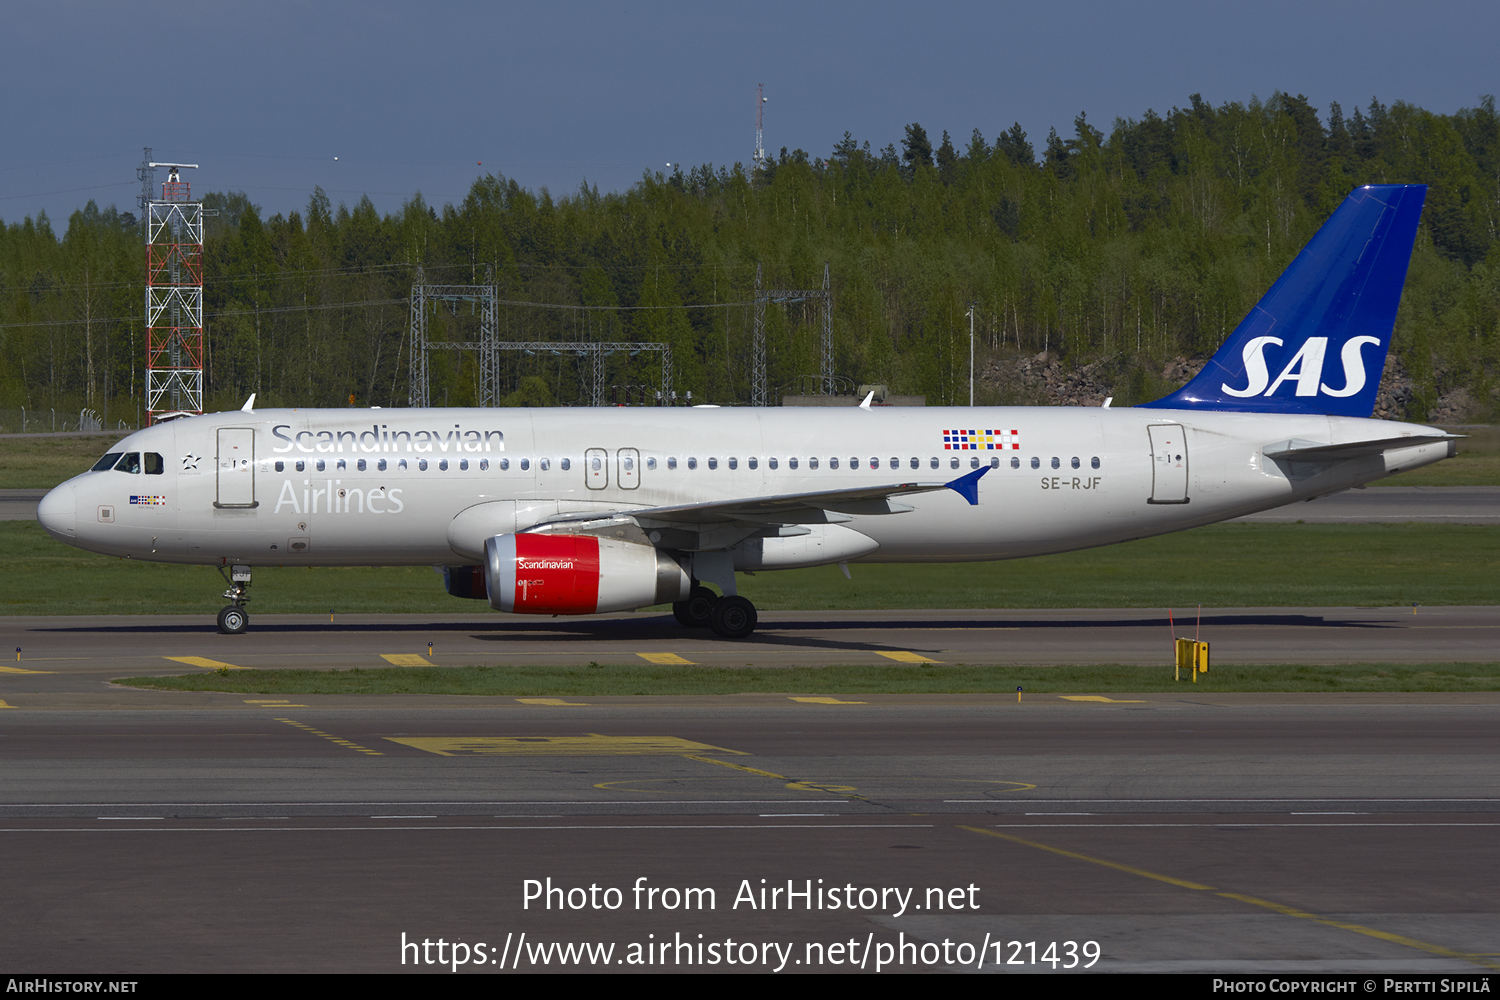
<point x="430" y="97"/>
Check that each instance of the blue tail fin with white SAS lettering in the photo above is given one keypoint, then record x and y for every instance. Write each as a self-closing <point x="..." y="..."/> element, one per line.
<point x="1337" y="301"/>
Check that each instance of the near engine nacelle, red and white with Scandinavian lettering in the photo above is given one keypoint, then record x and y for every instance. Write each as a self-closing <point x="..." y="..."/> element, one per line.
<point x="578" y="575"/>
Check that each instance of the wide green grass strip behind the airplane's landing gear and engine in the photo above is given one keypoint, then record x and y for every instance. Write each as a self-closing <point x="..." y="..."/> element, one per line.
<point x="1220" y="566"/>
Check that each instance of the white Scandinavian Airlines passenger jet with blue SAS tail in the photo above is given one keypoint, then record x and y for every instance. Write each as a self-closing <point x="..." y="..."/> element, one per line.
<point x="580" y="512"/>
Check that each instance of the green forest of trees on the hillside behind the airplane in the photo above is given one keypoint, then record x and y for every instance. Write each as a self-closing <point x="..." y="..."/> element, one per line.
<point x="1144" y="245"/>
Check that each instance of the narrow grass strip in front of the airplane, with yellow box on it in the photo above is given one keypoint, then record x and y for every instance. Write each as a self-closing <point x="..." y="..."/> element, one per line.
<point x="601" y="680"/>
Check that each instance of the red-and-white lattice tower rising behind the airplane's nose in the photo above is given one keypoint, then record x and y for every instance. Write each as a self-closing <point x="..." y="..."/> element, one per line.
<point x="173" y="295"/>
